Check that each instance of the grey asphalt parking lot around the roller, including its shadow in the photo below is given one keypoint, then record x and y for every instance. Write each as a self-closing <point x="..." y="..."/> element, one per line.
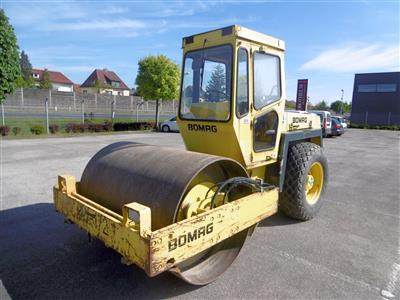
<point x="349" y="251"/>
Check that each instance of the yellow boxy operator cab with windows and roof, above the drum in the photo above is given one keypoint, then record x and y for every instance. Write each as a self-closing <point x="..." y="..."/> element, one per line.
<point x="232" y="94"/>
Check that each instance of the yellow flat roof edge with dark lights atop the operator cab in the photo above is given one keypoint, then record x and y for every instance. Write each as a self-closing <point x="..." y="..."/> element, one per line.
<point x="238" y="32"/>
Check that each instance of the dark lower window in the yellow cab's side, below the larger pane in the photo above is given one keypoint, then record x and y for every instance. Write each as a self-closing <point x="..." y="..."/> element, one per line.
<point x="265" y="129"/>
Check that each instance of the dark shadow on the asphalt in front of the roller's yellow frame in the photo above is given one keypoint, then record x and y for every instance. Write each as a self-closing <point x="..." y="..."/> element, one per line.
<point x="44" y="258"/>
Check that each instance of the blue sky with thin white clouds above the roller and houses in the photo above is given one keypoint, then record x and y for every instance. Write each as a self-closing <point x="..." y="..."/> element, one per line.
<point x="326" y="41"/>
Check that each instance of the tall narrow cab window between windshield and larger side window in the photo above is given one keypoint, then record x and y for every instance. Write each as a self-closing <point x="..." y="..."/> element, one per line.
<point x="242" y="90"/>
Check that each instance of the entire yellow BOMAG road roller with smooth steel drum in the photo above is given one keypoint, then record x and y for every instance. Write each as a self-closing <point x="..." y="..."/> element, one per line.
<point x="190" y="211"/>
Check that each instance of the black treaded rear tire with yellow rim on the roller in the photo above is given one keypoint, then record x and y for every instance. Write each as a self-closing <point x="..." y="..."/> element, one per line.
<point x="305" y="181"/>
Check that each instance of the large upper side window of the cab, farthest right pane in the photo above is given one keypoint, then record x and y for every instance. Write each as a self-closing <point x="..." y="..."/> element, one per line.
<point x="267" y="85"/>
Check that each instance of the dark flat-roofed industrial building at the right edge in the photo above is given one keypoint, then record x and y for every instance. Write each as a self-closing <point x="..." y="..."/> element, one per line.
<point x="376" y="99"/>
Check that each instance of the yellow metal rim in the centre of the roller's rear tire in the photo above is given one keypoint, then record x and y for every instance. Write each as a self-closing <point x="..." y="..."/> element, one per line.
<point x="314" y="183"/>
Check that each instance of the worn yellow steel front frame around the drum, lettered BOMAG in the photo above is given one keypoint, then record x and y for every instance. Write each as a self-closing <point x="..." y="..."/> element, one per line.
<point x="157" y="251"/>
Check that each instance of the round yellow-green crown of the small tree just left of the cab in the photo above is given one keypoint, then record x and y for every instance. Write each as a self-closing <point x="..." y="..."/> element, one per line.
<point x="158" y="78"/>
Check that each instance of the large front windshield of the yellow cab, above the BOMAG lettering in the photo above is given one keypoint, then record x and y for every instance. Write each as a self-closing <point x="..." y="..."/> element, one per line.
<point x="206" y="84"/>
